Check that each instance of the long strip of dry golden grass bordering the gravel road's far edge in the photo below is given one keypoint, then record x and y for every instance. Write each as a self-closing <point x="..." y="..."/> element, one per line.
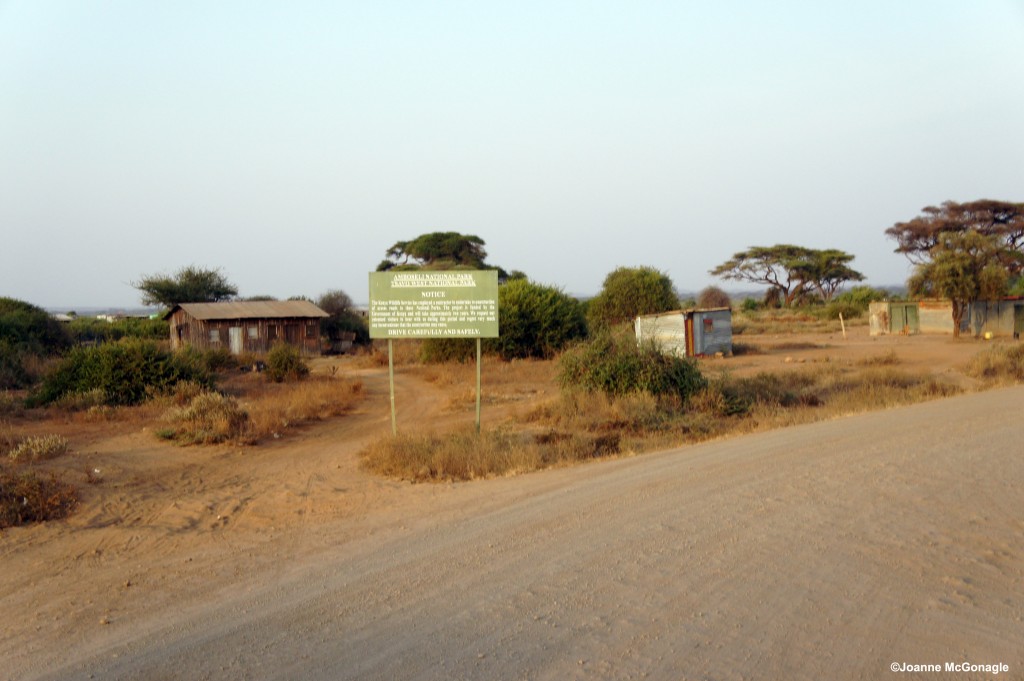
<point x="579" y="425"/>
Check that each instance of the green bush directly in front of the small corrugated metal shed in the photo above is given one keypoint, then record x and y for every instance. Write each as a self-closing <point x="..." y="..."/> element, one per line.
<point x="619" y="366"/>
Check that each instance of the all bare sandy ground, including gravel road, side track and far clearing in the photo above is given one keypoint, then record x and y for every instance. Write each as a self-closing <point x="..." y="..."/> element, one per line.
<point x="895" y="535"/>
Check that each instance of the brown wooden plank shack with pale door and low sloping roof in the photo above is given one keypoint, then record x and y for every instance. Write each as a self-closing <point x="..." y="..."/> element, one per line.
<point x="247" y="327"/>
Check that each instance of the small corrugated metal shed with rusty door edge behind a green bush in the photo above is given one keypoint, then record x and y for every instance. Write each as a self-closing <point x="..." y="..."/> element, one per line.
<point x="693" y="333"/>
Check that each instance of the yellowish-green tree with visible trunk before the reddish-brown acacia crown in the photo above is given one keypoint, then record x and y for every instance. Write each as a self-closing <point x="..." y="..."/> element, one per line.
<point x="965" y="267"/>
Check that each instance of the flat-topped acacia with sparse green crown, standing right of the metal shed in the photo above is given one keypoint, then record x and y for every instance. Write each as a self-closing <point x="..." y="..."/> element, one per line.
<point x="791" y="272"/>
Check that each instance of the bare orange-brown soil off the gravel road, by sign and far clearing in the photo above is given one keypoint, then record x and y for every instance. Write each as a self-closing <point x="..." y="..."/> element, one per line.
<point x="165" y="528"/>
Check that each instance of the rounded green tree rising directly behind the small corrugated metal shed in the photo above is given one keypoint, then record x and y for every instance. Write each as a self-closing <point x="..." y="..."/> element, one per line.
<point x="629" y="292"/>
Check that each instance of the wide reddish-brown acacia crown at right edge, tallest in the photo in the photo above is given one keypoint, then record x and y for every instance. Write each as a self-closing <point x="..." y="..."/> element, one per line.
<point x="1003" y="220"/>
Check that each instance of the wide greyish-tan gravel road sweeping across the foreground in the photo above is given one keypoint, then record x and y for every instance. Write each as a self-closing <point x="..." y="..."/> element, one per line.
<point x="829" y="551"/>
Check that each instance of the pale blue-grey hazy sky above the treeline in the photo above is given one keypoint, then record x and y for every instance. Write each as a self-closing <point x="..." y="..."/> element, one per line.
<point x="292" y="144"/>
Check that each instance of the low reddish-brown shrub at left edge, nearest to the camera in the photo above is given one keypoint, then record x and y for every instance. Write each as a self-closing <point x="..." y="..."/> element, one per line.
<point x="27" y="498"/>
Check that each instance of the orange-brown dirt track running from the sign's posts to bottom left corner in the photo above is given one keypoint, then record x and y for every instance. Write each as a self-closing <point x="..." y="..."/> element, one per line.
<point x="168" y="528"/>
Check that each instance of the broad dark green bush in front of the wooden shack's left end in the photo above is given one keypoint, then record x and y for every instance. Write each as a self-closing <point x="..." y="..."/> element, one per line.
<point x="126" y="372"/>
